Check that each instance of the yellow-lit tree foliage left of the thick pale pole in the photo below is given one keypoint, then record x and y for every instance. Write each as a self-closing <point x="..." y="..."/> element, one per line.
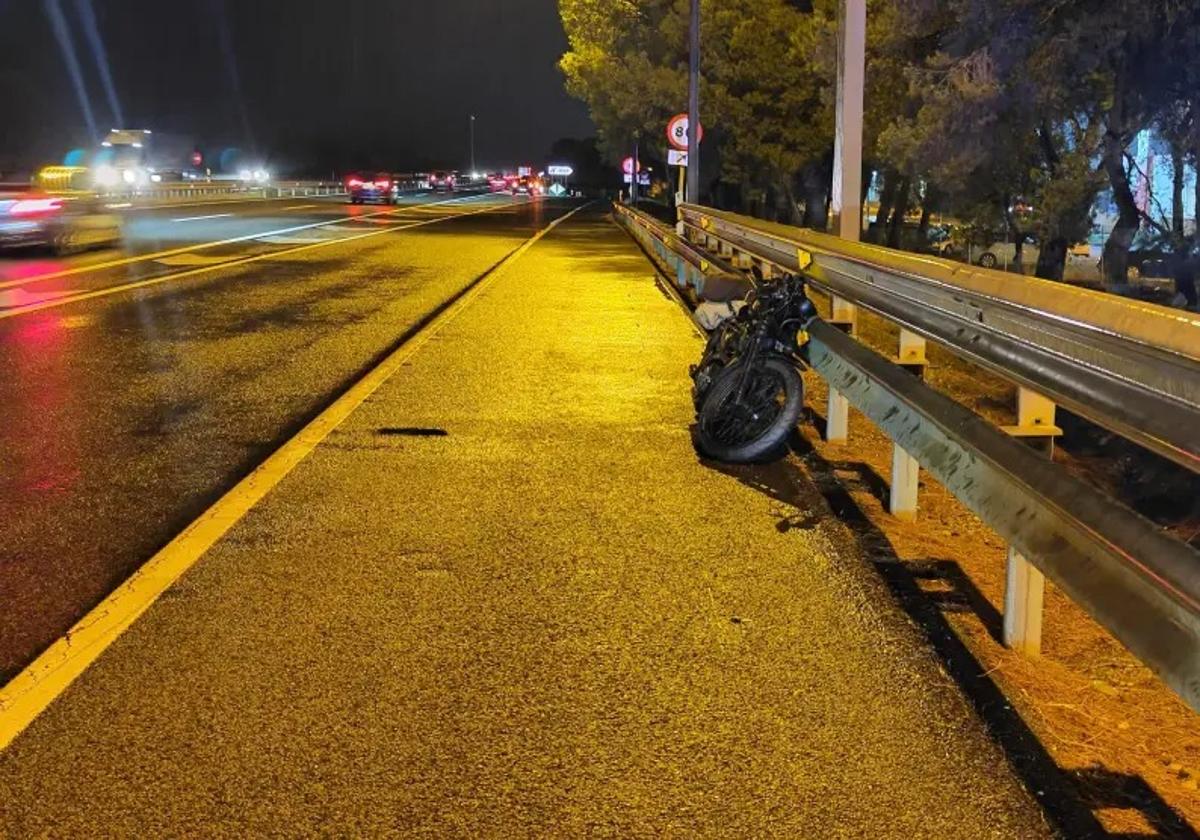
<point x="766" y="103"/>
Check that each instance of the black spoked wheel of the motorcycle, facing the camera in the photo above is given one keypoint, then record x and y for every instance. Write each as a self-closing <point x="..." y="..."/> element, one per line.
<point x="754" y="428"/>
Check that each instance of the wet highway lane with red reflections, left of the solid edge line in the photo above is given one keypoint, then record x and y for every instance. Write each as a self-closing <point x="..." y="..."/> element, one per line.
<point x="124" y="416"/>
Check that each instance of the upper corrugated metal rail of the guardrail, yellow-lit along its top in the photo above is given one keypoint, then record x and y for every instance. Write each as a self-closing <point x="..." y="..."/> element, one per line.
<point x="1130" y="367"/>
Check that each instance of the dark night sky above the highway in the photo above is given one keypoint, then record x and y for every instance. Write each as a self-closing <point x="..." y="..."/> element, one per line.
<point x="307" y="83"/>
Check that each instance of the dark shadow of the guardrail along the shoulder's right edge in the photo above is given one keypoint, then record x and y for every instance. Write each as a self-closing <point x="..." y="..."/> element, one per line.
<point x="1070" y="805"/>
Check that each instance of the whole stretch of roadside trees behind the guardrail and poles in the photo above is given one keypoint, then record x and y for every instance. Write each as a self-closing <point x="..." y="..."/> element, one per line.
<point x="1016" y="119"/>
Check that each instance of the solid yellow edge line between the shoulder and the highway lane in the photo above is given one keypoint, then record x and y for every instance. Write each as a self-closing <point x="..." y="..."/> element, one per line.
<point x="40" y="685"/>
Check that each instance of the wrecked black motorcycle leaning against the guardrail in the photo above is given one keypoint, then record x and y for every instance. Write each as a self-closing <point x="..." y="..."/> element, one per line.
<point x="747" y="388"/>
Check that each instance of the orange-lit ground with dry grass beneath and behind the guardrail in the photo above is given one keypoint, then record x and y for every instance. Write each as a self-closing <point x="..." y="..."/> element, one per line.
<point x="1130" y="746"/>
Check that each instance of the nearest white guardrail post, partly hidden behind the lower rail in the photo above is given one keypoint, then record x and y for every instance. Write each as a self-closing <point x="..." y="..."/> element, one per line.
<point x="1024" y="583"/>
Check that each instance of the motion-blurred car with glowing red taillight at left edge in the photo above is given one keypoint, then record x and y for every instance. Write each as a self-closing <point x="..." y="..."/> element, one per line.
<point x="65" y="223"/>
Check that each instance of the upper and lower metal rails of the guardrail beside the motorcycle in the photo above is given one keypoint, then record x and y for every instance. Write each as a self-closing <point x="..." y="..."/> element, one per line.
<point x="1139" y="583"/>
